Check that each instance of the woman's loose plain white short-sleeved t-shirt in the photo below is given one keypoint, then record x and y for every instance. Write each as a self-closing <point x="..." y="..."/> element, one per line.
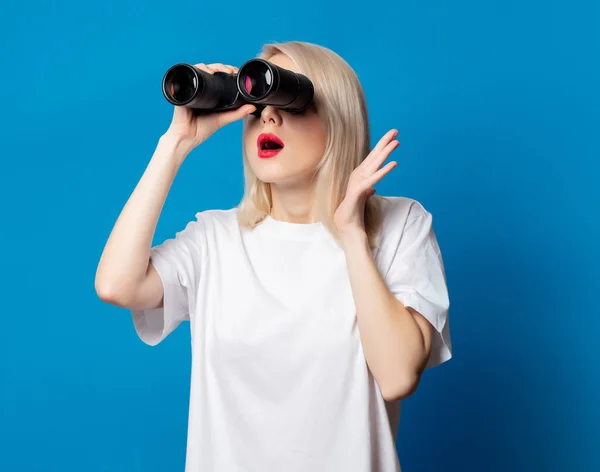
<point x="279" y="381"/>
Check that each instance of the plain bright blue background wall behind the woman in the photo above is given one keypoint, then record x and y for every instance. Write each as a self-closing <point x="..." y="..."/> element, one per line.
<point x="497" y="104"/>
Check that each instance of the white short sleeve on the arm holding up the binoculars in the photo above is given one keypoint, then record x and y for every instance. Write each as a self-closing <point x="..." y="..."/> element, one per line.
<point x="178" y="261"/>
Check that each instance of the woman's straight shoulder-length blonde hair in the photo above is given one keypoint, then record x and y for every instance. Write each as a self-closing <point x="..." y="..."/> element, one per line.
<point x="340" y="102"/>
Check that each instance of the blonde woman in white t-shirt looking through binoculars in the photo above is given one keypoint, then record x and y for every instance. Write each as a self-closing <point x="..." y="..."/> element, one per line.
<point x="314" y="306"/>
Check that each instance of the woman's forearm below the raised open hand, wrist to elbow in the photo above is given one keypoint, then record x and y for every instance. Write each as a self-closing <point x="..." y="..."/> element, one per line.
<point x="392" y="341"/>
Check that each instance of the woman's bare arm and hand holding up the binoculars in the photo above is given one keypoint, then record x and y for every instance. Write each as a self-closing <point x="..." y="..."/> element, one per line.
<point x="125" y="275"/>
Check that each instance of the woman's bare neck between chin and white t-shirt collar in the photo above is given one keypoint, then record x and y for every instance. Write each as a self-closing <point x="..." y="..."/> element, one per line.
<point x="294" y="204"/>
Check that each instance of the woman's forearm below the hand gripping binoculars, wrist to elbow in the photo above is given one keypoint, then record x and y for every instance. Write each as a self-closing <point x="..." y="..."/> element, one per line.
<point x="125" y="258"/>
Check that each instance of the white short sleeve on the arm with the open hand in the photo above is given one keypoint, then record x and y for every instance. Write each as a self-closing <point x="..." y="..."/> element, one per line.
<point x="417" y="278"/>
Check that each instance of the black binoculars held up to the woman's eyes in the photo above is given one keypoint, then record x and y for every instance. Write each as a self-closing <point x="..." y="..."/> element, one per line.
<point x="258" y="82"/>
